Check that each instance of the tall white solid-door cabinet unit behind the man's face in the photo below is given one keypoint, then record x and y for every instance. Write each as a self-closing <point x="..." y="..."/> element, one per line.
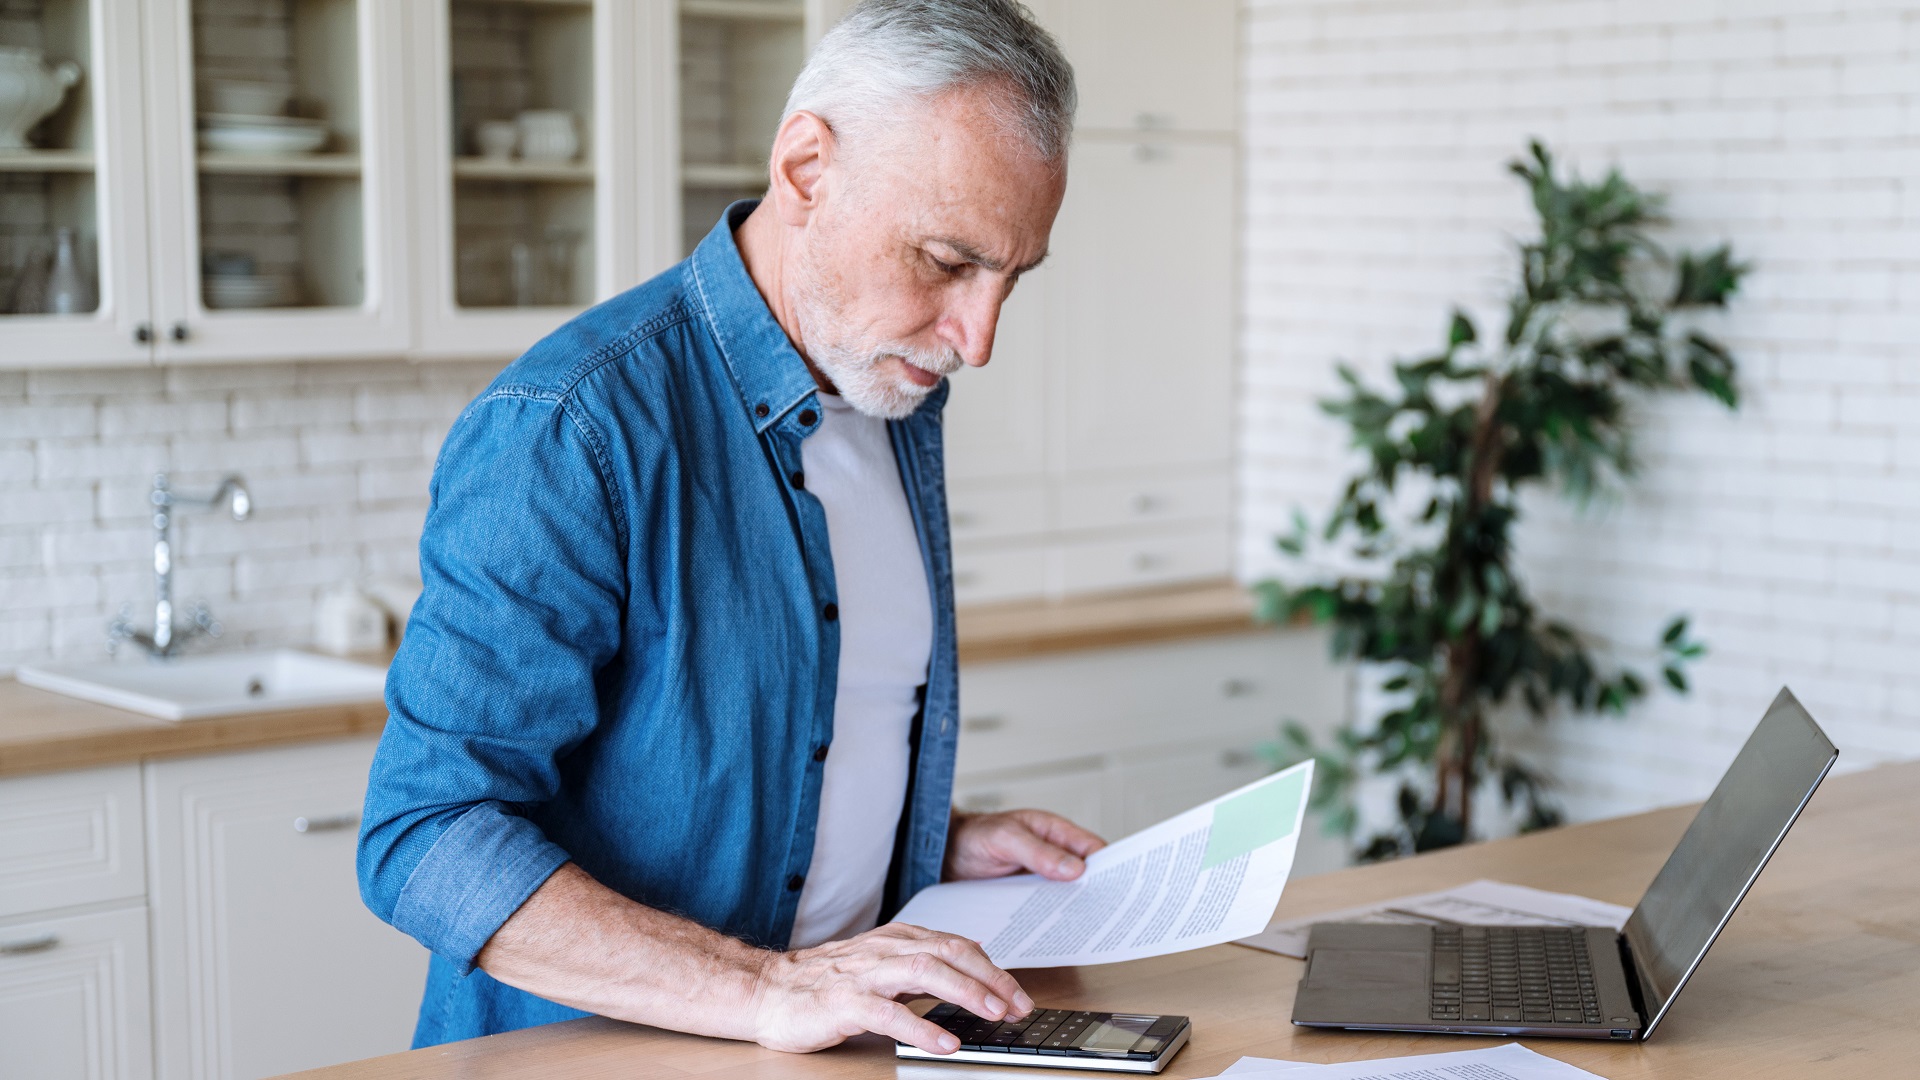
<point x="1109" y="403"/>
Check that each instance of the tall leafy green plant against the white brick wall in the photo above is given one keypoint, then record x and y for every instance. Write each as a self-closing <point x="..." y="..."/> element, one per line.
<point x="1598" y="320"/>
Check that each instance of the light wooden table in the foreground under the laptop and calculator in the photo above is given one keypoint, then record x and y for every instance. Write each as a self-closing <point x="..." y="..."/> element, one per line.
<point x="1819" y="975"/>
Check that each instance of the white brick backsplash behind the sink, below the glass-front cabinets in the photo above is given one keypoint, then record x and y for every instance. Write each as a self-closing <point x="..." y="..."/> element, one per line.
<point x="337" y="458"/>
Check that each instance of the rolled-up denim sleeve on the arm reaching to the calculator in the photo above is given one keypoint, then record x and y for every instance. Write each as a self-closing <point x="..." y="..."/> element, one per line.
<point x="494" y="683"/>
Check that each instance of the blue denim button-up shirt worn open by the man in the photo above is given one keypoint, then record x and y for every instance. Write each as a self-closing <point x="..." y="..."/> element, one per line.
<point x="627" y="645"/>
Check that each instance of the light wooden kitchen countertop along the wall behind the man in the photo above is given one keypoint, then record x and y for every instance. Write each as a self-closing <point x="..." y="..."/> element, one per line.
<point x="45" y="733"/>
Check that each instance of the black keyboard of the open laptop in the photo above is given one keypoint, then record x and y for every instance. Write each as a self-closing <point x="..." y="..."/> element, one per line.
<point x="1514" y="975"/>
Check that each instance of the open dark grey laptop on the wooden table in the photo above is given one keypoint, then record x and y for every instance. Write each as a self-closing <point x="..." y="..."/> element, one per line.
<point x="1579" y="981"/>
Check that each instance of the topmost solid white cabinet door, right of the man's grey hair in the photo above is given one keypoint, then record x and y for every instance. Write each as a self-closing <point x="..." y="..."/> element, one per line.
<point x="1151" y="64"/>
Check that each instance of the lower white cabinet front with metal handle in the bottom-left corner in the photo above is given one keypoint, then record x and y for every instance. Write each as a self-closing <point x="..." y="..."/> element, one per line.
<point x="74" y="998"/>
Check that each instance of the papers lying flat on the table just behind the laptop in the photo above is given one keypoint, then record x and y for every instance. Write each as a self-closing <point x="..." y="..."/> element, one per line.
<point x="1476" y="904"/>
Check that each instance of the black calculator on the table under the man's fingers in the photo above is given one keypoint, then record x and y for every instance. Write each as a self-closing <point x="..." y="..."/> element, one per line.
<point x="1059" y="1039"/>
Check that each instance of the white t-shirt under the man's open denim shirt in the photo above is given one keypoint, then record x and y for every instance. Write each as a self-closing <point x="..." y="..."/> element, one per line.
<point x="886" y="622"/>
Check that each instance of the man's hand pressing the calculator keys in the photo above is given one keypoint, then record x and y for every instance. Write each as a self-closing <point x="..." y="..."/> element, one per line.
<point x="817" y="998"/>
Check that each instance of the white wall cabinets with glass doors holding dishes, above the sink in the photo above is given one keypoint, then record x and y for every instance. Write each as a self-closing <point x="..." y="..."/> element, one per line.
<point x="258" y="180"/>
